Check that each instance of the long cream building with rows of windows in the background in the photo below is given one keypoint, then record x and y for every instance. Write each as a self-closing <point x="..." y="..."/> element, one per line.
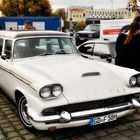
<point x="78" y="13"/>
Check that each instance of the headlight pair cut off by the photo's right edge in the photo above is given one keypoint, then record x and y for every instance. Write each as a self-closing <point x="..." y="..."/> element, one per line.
<point x="134" y="80"/>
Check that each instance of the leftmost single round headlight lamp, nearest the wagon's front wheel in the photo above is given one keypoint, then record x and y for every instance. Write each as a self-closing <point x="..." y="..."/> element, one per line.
<point x="45" y="92"/>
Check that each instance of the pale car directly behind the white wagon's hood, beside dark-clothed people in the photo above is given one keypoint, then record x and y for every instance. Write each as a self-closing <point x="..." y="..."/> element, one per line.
<point x="99" y="49"/>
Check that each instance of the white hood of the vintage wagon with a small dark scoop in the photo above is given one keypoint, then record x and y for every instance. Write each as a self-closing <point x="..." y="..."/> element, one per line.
<point x="81" y="78"/>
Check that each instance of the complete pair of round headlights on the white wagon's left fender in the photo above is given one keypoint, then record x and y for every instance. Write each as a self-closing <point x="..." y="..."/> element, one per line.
<point x="49" y="91"/>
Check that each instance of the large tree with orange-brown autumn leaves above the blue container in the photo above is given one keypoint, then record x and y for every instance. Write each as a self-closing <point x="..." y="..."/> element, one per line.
<point x="26" y="7"/>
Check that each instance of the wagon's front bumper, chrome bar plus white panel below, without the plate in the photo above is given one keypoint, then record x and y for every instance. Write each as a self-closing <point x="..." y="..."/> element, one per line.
<point x="79" y="118"/>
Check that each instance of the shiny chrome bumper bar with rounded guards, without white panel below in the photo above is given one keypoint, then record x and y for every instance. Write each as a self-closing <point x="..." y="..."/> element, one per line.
<point x="65" y="117"/>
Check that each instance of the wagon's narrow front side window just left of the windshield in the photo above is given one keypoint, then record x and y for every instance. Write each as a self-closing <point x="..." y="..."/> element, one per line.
<point x="8" y="48"/>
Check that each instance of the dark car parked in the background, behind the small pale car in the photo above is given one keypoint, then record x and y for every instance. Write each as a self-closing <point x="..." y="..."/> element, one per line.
<point x="91" y="31"/>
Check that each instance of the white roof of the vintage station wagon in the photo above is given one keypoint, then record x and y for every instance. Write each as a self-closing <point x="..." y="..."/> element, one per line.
<point x="18" y="34"/>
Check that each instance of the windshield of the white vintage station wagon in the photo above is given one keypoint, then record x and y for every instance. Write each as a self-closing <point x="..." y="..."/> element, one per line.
<point x="30" y="47"/>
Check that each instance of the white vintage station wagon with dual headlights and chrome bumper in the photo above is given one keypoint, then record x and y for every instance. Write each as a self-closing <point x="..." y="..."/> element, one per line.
<point x="53" y="86"/>
